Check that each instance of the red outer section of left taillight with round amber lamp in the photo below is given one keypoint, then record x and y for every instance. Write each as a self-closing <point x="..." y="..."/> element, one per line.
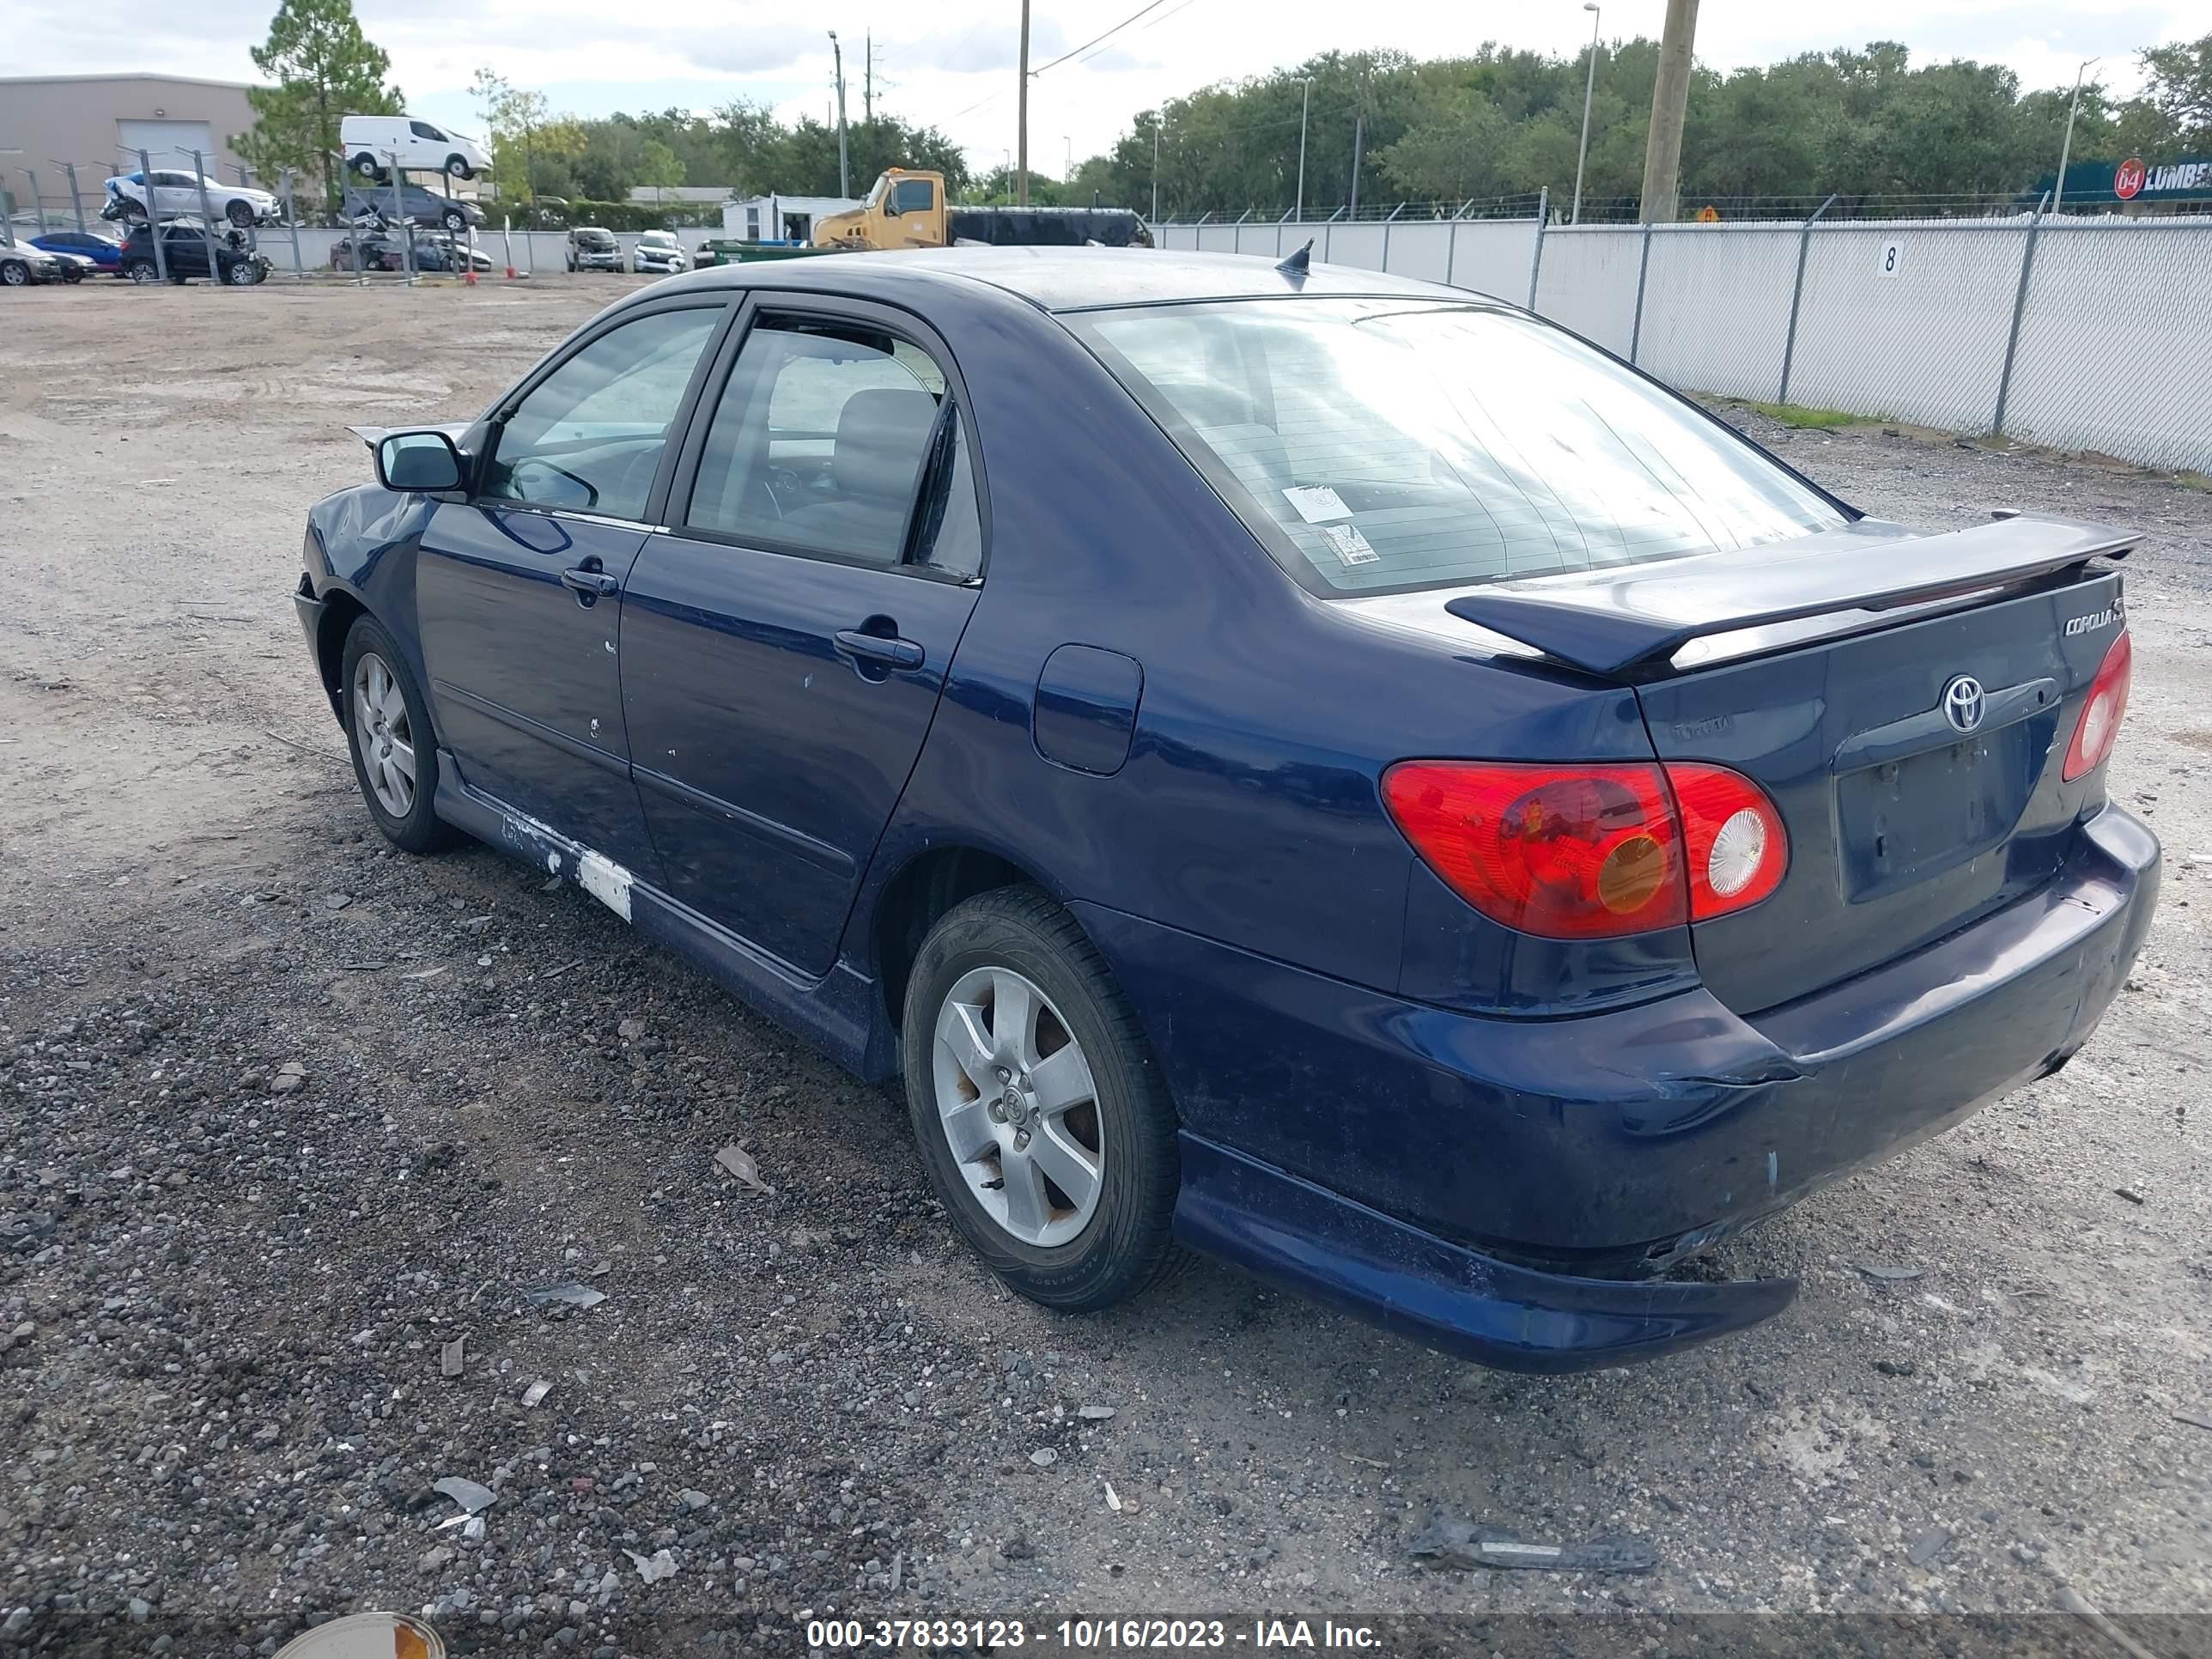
<point x="1556" y="851"/>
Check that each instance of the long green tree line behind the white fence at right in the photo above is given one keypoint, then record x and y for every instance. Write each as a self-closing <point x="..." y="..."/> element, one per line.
<point x="1861" y="123"/>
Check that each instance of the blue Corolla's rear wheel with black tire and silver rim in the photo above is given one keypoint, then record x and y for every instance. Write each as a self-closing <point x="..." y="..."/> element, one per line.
<point x="1041" y="1114"/>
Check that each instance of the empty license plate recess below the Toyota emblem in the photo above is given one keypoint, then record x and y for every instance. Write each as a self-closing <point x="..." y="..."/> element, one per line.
<point x="1912" y="820"/>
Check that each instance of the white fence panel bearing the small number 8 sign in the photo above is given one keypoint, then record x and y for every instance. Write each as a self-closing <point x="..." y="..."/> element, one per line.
<point x="1908" y="320"/>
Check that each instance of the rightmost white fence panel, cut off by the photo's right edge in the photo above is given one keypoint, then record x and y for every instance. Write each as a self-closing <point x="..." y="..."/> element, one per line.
<point x="2116" y="353"/>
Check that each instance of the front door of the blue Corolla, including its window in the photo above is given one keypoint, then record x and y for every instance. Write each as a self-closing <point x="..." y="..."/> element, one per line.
<point x="519" y="592"/>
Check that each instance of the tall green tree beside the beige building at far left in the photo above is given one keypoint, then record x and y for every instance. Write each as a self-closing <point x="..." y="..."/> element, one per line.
<point x="324" y="70"/>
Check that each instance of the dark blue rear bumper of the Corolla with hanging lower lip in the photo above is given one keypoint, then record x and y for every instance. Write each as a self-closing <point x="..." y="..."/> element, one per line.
<point x="1505" y="1189"/>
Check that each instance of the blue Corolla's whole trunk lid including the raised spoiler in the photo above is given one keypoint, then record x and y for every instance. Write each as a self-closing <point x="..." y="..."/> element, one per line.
<point x="1906" y="702"/>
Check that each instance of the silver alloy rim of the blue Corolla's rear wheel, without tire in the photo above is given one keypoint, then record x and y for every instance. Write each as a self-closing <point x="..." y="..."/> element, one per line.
<point x="1019" y="1107"/>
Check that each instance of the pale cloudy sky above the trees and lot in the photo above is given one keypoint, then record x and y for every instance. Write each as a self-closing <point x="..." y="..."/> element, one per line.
<point x="950" y="63"/>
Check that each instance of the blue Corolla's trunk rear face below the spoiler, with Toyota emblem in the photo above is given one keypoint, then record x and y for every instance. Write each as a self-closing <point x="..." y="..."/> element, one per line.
<point x="1903" y="828"/>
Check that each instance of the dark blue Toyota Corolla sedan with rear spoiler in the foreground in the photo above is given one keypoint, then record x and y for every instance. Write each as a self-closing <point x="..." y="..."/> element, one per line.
<point x="1306" y="766"/>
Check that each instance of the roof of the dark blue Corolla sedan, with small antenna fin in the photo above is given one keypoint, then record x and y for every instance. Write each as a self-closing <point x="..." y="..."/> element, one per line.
<point x="1074" y="280"/>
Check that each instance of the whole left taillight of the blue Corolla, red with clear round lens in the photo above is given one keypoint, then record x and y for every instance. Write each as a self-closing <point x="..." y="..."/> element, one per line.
<point x="1592" y="851"/>
